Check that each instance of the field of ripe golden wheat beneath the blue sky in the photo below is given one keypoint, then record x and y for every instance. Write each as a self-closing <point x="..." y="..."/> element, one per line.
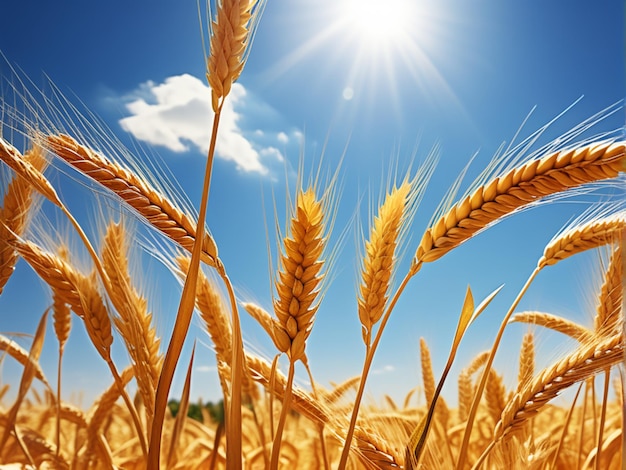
<point x="265" y="418"/>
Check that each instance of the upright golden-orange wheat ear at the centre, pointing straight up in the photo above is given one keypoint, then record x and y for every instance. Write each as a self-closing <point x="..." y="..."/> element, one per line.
<point x="299" y="275"/>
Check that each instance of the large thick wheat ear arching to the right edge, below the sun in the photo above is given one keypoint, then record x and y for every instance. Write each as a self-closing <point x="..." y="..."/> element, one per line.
<point x="517" y="188"/>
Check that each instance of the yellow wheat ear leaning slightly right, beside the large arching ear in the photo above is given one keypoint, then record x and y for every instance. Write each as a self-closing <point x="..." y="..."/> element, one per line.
<point x="380" y="256"/>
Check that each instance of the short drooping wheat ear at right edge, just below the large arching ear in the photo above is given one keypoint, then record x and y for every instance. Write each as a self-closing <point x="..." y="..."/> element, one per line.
<point x="588" y="235"/>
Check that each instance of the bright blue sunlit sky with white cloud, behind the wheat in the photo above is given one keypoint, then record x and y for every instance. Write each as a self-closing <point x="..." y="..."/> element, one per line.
<point x="458" y="75"/>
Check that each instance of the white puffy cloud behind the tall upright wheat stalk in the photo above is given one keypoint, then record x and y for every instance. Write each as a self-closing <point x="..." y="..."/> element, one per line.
<point x="177" y="114"/>
